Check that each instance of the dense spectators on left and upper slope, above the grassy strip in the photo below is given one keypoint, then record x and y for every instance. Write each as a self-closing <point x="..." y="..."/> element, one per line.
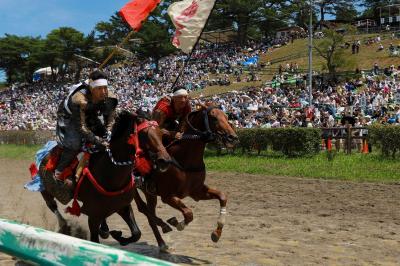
<point x="138" y="85"/>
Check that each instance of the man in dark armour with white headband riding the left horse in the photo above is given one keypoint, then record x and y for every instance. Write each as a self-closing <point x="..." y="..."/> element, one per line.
<point x="86" y="115"/>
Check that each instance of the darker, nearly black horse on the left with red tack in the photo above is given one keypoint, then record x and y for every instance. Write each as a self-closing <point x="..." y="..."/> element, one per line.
<point x="112" y="169"/>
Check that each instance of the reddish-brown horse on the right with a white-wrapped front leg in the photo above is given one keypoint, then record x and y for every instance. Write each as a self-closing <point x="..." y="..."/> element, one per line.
<point x="206" y="125"/>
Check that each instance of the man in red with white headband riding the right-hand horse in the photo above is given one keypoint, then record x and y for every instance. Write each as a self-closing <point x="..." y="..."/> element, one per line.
<point x="170" y="111"/>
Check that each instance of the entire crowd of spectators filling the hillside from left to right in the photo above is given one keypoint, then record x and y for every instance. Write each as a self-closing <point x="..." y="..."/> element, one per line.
<point x="369" y="98"/>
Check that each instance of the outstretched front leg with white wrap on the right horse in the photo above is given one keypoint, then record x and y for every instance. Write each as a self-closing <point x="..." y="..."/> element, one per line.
<point x="207" y="193"/>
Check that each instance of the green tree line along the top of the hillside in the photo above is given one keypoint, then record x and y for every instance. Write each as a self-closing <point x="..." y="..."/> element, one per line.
<point x="62" y="49"/>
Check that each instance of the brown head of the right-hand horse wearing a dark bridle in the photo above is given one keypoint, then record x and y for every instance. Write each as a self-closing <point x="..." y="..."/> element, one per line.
<point x="212" y="124"/>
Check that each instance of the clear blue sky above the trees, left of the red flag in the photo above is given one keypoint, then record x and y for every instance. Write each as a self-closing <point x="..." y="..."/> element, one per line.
<point x="38" y="18"/>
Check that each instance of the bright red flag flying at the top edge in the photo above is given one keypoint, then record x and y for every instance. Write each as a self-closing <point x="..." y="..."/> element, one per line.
<point x="137" y="11"/>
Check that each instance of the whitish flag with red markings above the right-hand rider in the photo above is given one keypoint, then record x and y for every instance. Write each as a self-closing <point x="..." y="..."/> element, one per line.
<point x="189" y="18"/>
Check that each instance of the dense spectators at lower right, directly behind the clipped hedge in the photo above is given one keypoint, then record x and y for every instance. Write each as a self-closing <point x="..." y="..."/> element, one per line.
<point x="365" y="100"/>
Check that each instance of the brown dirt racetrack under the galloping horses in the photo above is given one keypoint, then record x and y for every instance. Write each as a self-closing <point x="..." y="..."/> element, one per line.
<point x="271" y="221"/>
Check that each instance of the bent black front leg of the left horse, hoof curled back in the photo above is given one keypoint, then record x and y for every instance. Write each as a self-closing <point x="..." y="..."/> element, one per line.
<point x="127" y="214"/>
